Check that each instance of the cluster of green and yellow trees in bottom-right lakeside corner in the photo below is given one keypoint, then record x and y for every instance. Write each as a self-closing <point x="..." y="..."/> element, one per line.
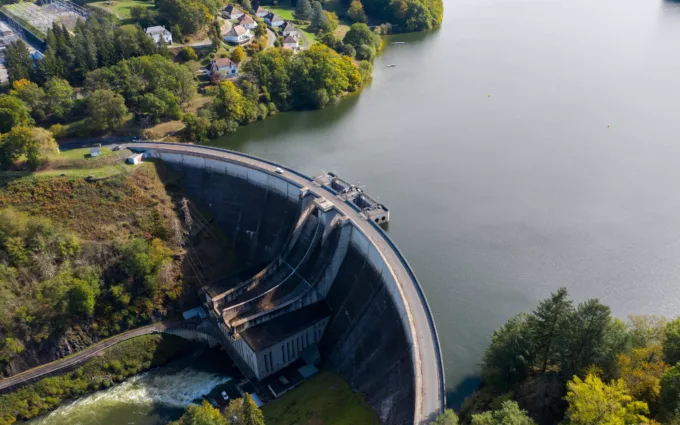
<point x="577" y="365"/>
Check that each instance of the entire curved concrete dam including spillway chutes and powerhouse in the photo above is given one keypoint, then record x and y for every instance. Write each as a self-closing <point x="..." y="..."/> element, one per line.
<point x="321" y="279"/>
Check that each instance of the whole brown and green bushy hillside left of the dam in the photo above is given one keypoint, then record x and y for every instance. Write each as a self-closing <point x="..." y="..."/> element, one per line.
<point x="85" y="252"/>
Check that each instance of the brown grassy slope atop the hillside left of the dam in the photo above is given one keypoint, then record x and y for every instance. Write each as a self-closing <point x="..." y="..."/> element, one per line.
<point x="116" y="208"/>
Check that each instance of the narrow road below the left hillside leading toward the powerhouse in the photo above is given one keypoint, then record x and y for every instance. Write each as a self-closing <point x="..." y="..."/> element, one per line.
<point x="84" y="355"/>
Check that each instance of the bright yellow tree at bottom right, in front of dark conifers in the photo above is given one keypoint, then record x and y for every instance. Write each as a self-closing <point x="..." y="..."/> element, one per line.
<point x="593" y="402"/>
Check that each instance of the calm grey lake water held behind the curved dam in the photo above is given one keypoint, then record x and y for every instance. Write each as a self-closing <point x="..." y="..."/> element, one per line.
<point x="524" y="146"/>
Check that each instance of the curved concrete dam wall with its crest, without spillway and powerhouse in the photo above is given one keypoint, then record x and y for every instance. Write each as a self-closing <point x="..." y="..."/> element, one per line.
<point x="381" y="337"/>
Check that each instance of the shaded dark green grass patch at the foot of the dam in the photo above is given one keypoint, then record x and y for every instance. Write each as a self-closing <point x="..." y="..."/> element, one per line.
<point x="323" y="400"/>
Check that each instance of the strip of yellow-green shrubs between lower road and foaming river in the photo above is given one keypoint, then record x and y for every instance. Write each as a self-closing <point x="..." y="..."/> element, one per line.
<point x="112" y="366"/>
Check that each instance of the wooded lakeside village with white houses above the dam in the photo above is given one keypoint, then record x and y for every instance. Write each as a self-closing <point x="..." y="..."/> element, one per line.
<point x="207" y="66"/>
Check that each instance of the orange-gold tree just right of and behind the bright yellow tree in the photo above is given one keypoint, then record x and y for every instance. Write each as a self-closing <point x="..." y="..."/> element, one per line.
<point x="641" y="371"/>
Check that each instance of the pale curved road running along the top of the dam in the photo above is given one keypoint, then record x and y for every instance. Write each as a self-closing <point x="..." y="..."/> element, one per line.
<point x="429" y="368"/>
